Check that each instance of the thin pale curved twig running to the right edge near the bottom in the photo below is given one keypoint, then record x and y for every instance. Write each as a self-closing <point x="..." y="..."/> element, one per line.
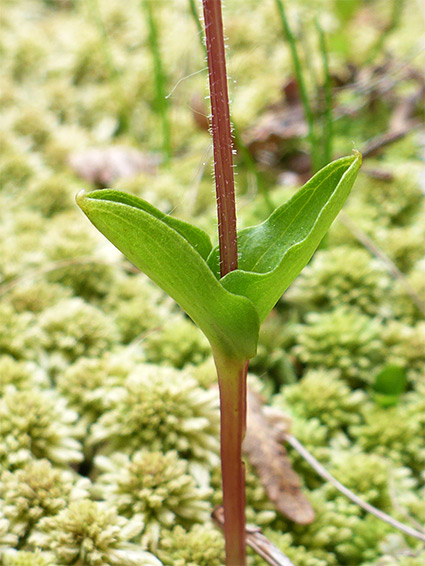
<point x="317" y="466"/>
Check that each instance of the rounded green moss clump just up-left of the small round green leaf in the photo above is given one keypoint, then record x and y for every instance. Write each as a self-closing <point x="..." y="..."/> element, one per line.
<point x="345" y="340"/>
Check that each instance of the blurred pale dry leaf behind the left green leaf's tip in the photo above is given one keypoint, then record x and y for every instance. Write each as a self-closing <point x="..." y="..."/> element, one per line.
<point x="104" y="166"/>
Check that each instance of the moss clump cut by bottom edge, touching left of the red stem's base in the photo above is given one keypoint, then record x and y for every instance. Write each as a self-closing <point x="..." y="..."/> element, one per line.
<point x="201" y="546"/>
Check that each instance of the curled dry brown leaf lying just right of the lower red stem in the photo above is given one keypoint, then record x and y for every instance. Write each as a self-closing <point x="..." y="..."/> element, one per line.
<point x="265" y="452"/>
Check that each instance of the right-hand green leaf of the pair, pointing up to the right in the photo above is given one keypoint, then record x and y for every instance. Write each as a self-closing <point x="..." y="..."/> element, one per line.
<point x="272" y="254"/>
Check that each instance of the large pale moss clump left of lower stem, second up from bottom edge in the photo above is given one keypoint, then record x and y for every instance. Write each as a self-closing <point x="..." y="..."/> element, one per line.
<point x="154" y="486"/>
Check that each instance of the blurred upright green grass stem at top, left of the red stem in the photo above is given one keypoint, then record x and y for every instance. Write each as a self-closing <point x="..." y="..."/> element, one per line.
<point x="160" y="80"/>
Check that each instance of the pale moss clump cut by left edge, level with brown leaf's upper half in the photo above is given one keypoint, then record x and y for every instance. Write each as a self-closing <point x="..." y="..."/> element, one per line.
<point x="36" y="424"/>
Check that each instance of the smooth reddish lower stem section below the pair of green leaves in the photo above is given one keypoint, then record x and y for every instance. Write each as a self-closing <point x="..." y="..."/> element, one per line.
<point x="232" y="382"/>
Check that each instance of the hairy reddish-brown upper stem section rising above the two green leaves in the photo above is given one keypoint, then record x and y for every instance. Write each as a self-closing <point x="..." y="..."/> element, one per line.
<point x="222" y="137"/>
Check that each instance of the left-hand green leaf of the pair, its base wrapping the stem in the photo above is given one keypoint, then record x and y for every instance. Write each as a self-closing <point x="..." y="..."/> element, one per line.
<point x="172" y="253"/>
